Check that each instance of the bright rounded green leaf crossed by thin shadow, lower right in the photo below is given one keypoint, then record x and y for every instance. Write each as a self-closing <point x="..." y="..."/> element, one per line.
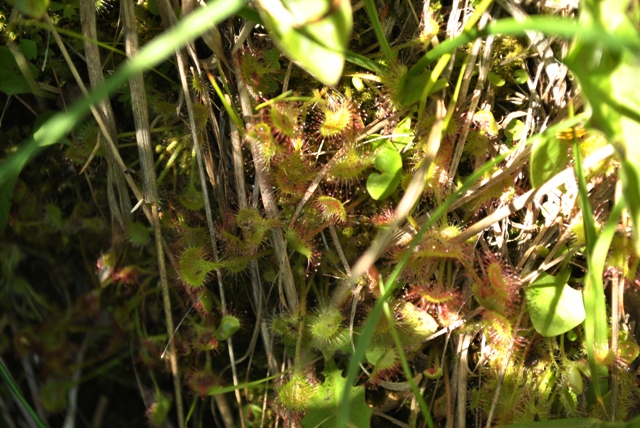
<point x="554" y="307"/>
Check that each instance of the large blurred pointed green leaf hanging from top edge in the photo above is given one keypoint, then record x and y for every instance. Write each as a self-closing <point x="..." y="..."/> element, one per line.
<point x="317" y="45"/>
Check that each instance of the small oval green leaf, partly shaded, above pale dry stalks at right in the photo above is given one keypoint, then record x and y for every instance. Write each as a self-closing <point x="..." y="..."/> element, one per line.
<point x="548" y="157"/>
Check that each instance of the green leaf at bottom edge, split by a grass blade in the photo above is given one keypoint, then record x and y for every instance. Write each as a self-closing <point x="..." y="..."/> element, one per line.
<point x="322" y="409"/>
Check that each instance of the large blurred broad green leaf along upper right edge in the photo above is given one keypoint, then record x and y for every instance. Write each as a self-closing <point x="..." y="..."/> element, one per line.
<point x="609" y="81"/>
